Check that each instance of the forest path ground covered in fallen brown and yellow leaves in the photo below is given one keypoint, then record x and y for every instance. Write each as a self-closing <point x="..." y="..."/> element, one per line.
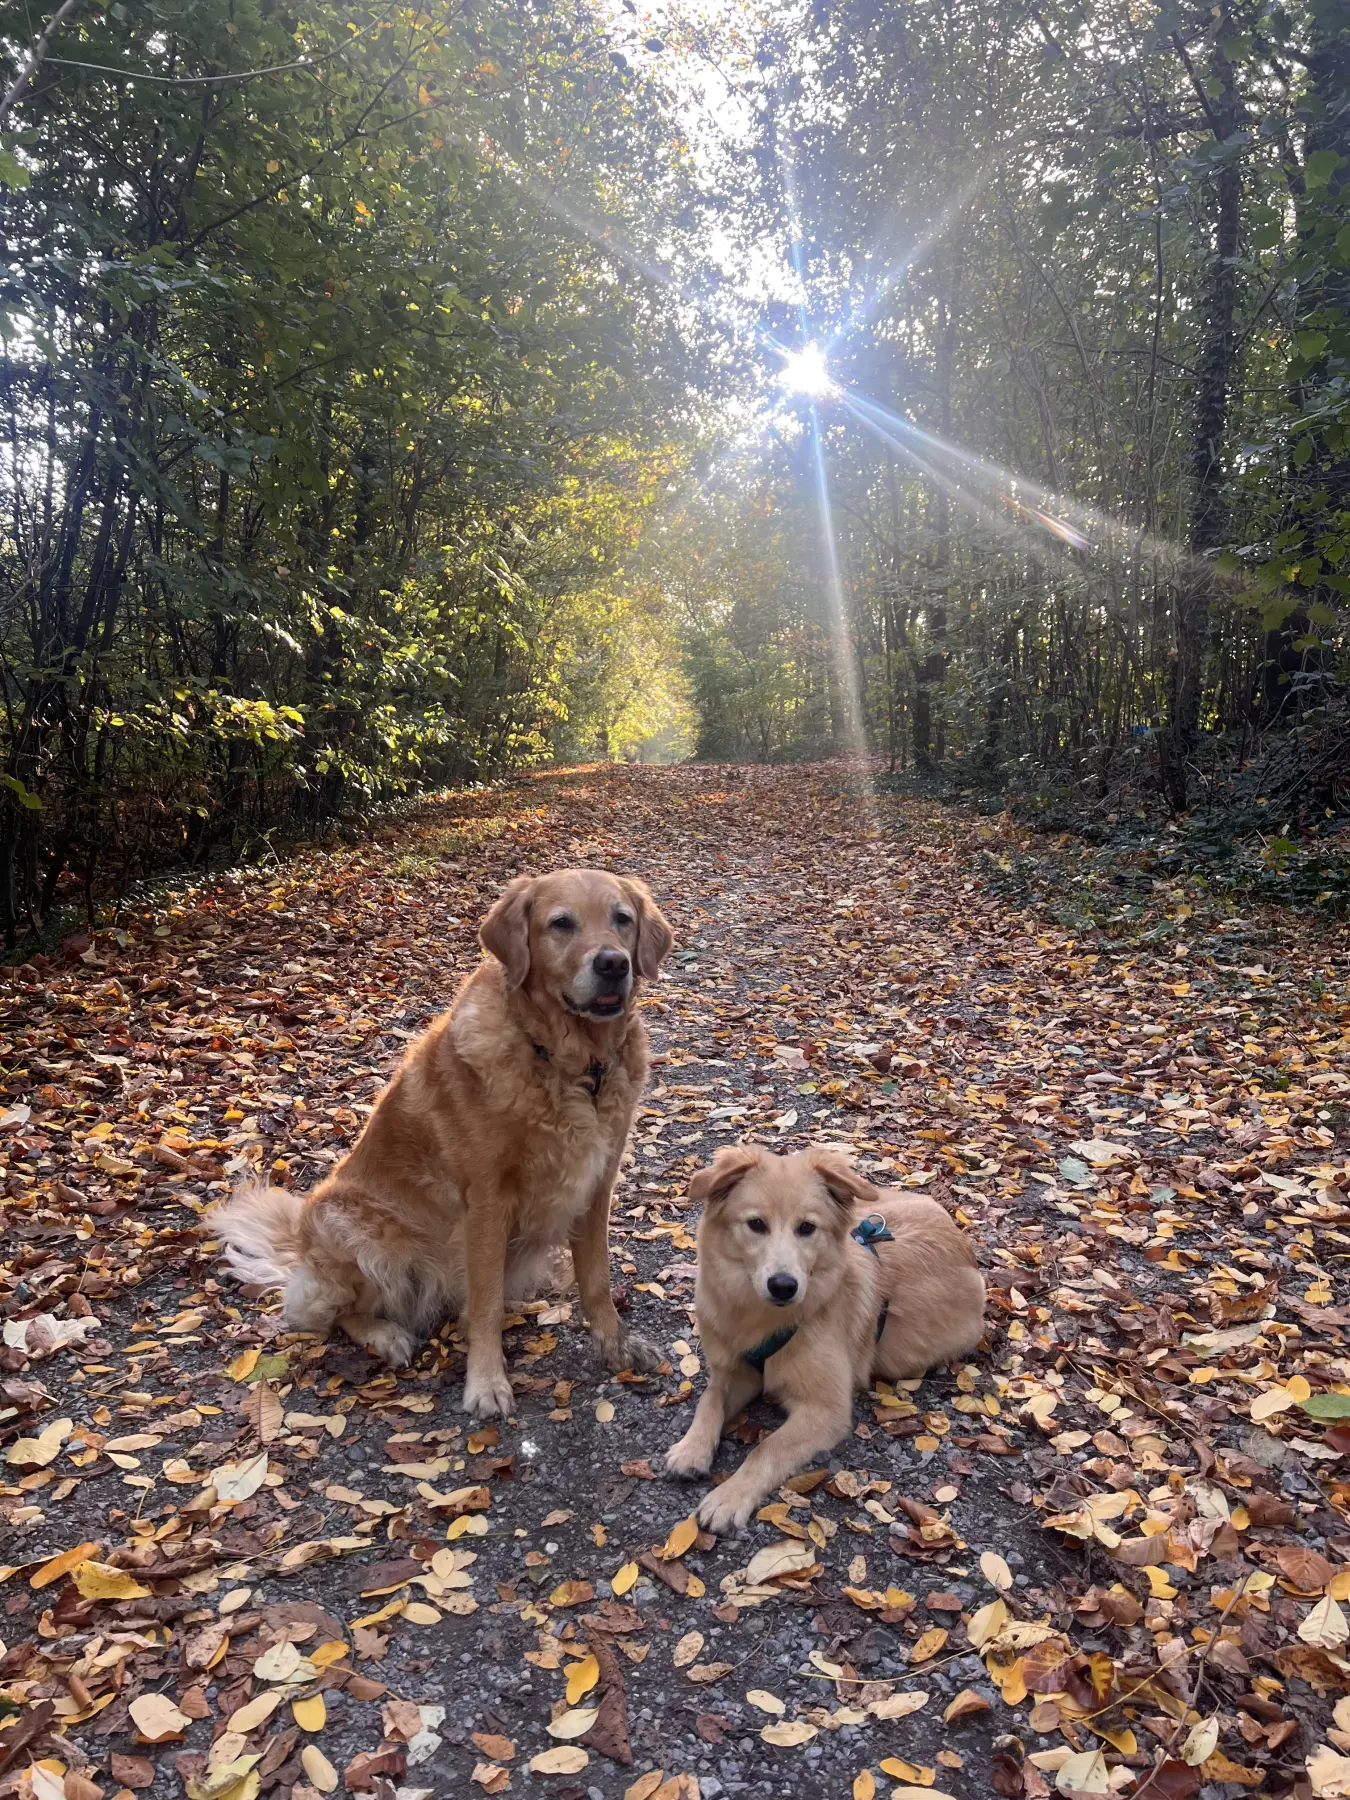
<point x="1146" y="1137"/>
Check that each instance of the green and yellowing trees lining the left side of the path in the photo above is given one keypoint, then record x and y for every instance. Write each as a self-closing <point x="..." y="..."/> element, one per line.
<point x="330" y="433"/>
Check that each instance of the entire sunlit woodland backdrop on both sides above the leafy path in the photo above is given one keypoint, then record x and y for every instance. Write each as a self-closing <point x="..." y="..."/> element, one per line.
<point x="390" y="400"/>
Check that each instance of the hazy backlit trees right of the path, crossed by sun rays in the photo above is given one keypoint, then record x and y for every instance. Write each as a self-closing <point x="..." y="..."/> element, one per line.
<point x="1009" y="226"/>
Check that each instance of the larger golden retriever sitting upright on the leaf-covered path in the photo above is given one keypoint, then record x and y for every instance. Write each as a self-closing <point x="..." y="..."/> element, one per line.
<point x="498" y="1140"/>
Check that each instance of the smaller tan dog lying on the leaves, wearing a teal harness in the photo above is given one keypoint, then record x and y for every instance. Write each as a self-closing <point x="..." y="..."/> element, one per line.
<point x="793" y="1304"/>
